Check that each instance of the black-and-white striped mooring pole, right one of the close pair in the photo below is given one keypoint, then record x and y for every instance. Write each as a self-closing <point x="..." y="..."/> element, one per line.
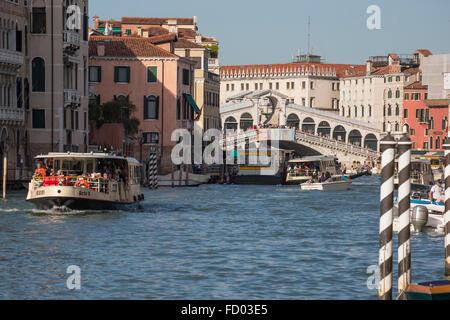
<point x="404" y="205"/>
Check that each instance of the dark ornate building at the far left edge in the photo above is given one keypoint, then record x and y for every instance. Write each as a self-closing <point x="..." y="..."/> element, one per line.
<point x="14" y="83"/>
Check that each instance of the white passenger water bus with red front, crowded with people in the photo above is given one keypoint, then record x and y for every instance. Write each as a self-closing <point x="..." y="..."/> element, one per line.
<point x="78" y="184"/>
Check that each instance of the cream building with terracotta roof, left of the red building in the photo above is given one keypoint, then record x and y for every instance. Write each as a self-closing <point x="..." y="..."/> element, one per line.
<point x="375" y="95"/>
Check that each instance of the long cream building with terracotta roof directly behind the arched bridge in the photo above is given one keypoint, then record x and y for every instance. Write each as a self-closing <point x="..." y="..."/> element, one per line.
<point x="311" y="84"/>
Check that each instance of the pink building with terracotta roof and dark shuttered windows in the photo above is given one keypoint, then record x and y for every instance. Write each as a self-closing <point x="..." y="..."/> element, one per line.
<point x="157" y="81"/>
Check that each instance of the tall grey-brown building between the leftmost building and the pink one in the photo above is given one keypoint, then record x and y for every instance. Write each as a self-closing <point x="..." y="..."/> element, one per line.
<point x="58" y="38"/>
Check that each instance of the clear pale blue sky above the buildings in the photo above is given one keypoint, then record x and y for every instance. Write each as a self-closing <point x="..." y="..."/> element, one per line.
<point x="271" y="31"/>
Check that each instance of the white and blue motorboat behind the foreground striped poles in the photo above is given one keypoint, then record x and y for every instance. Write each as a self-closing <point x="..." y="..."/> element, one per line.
<point x="435" y="221"/>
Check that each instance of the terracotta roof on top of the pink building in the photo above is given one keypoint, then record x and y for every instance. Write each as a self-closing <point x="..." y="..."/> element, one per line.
<point x="127" y="47"/>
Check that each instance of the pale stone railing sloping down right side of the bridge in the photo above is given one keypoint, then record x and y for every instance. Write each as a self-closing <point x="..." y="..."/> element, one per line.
<point x="336" y="144"/>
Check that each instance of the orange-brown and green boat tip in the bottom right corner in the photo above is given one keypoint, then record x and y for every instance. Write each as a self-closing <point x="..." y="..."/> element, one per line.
<point x="432" y="290"/>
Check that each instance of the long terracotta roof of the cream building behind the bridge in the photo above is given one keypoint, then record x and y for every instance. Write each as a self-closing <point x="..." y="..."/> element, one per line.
<point x="341" y="69"/>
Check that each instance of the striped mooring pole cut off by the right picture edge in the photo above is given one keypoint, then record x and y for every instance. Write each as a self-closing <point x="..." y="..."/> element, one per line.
<point x="446" y="147"/>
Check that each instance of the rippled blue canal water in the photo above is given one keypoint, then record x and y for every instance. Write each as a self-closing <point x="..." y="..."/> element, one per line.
<point x="210" y="242"/>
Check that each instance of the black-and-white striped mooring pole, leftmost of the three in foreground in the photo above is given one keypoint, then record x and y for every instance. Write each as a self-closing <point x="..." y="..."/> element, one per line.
<point x="387" y="148"/>
